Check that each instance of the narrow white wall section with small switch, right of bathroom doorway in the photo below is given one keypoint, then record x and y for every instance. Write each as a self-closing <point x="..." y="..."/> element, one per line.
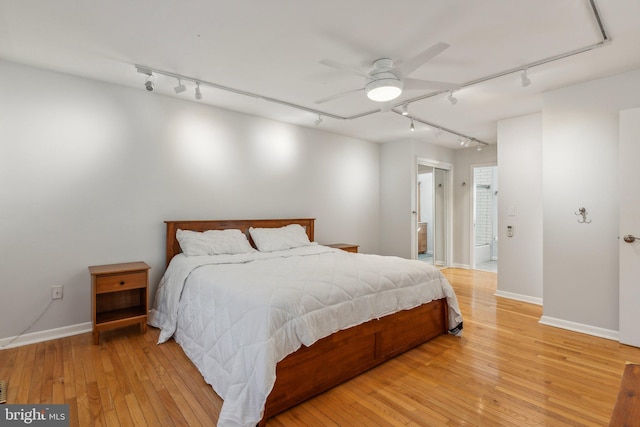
<point x="520" y="183"/>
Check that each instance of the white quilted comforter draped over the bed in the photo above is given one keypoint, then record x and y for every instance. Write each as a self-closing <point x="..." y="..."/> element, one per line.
<point x="237" y="316"/>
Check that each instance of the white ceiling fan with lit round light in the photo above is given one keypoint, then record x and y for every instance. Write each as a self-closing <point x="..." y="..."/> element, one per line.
<point x="386" y="81"/>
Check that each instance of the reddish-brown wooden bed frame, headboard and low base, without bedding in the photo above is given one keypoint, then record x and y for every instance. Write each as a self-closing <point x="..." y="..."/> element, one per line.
<point x="338" y="357"/>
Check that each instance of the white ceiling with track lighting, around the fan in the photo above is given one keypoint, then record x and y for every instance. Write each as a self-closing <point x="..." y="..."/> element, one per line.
<point x="273" y="47"/>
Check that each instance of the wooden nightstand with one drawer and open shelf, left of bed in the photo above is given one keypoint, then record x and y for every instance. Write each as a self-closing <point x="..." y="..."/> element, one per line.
<point x="119" y="296"/>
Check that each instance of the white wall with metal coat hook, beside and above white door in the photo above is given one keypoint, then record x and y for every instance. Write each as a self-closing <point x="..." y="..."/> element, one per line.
<point x="580" y="159"/>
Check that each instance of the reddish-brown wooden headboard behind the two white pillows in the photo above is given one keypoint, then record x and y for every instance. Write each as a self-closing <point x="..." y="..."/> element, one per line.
<point x="173" y="247"/>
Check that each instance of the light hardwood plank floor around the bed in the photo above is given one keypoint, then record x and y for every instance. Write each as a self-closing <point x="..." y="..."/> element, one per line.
<point x="506" y="370"/>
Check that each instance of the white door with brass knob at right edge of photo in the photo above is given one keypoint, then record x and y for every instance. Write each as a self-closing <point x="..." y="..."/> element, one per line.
<point x="630" y="227"/>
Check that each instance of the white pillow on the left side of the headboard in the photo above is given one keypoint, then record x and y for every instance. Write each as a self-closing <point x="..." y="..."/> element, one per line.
<point x="213" y="242"/>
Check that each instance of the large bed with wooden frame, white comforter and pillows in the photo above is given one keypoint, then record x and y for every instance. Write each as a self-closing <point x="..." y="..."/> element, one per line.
<point x="270" y="372"/>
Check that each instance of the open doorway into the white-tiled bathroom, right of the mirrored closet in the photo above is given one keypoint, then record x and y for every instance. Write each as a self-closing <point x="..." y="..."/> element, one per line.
<point x="484" y="253"/>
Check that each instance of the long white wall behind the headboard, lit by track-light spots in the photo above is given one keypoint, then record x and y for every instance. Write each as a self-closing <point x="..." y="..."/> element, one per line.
<point x="90" y="171"/>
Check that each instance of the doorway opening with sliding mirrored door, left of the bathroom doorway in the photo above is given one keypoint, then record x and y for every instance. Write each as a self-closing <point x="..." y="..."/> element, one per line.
<point x="432" y="213"/>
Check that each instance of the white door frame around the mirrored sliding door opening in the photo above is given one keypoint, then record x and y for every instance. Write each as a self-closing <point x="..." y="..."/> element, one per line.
<point x="448" y="207"/>
